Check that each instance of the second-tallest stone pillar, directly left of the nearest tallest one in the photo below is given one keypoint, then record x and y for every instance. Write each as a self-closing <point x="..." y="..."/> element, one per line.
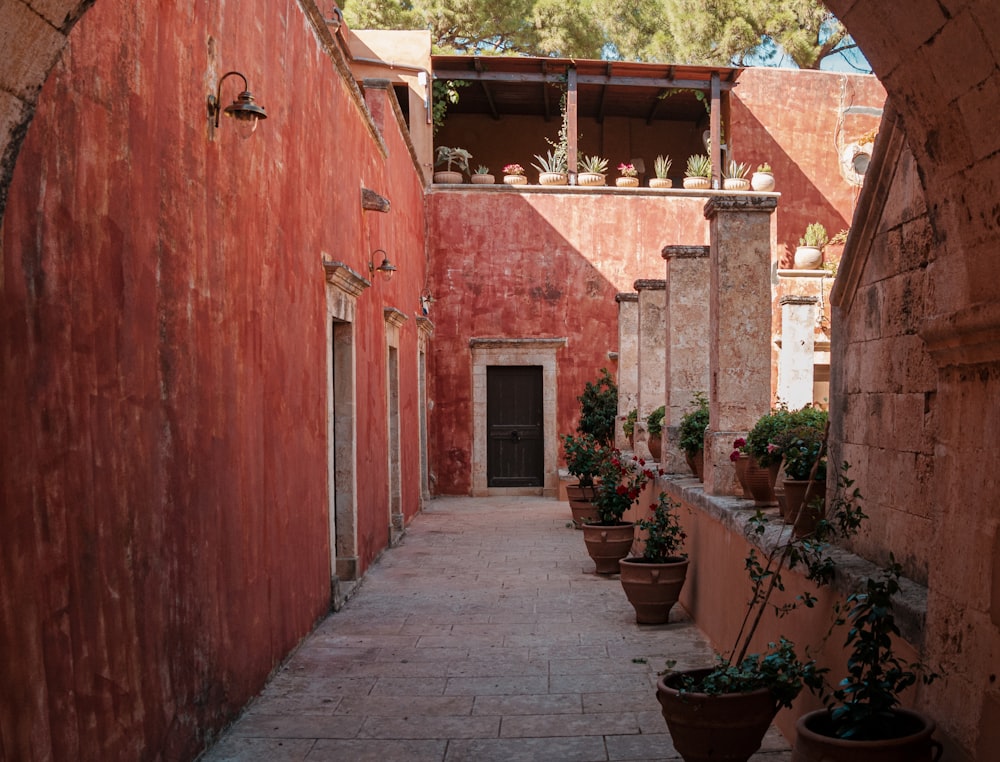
<point x="686" y="353"/>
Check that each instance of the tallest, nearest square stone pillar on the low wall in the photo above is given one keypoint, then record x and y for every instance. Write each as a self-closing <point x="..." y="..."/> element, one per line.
<point x="739" y="327"/>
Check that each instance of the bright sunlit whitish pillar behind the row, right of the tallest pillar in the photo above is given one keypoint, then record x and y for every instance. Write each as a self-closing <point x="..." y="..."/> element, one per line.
<point x="798" y="344"/>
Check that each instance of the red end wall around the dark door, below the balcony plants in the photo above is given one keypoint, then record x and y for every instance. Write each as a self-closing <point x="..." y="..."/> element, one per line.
<point x="537" y="264"/>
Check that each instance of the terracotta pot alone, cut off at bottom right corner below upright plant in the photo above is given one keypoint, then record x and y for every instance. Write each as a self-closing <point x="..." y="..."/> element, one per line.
<point x="814" y="741"/>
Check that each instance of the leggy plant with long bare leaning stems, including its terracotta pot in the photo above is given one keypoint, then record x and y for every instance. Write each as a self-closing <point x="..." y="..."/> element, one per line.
<point x="722" y="712"/>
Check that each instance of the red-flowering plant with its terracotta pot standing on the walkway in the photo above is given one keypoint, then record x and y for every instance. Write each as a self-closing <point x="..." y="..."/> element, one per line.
<point x="620" y="483"/>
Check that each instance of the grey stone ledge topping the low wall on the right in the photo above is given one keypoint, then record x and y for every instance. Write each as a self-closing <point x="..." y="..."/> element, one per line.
<point x="734" y="514"/>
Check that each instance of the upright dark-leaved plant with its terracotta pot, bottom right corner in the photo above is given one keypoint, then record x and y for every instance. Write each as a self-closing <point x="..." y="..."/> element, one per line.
<point x="862" y="721"/>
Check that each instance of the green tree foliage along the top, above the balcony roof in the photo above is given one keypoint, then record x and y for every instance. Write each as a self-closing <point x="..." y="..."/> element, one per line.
<point x="718" y="32"/>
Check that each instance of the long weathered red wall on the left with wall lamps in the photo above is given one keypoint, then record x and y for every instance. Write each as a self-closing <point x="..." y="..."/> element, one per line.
<point x="164" y="373"/>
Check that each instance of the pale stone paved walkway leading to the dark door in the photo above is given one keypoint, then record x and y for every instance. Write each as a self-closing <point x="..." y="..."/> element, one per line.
<point x="486" y="635"/>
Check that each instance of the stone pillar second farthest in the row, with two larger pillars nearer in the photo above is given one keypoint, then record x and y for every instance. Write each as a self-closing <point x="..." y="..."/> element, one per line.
<point x="652" y="351"/>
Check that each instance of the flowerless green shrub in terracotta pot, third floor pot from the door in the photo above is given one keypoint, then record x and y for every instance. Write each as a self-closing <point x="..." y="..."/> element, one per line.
<point x="653" y="581"/>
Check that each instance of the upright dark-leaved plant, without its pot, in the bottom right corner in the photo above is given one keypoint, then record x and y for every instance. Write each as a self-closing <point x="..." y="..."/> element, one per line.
<point x="861" y="706"/>
